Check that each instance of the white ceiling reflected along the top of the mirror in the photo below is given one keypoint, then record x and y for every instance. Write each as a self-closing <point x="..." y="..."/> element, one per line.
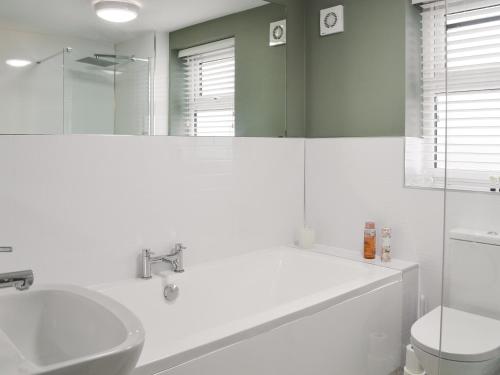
<point x="77" y="18"/>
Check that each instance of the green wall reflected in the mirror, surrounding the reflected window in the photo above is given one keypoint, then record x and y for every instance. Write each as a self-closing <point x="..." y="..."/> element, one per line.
<point x="260" y="100"/>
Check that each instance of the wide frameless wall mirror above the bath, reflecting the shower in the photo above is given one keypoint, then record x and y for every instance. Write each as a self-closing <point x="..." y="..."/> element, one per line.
<point x="145" y="67"/>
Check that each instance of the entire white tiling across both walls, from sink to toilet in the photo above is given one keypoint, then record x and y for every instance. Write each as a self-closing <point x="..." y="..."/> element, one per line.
<point x="80" y="208"/>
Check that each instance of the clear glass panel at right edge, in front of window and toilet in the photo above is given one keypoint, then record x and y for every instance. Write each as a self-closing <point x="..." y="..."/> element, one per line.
<point x="469" y="336"/>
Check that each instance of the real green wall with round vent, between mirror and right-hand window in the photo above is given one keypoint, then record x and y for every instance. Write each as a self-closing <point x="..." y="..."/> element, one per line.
<point x="356" y="79"/>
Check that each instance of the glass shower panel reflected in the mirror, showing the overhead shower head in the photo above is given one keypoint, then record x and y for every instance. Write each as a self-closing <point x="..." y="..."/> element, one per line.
<point x="105" y="93"/>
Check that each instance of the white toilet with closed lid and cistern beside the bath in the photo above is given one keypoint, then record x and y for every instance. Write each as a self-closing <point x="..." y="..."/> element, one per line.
<point x="470" y="332"/>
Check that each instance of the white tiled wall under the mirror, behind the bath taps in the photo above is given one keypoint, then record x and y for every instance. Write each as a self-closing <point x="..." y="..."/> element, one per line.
<point x="79" y="209"/>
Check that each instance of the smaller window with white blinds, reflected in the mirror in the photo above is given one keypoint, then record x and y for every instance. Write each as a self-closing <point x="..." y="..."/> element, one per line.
<point x="209" y="82"/>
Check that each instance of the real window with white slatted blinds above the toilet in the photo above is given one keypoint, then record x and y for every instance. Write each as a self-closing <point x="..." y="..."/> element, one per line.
<point x="460" y="106"/>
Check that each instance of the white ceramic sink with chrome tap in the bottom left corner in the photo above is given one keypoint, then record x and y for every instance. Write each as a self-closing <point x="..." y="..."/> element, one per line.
<point x="66" y="330"/>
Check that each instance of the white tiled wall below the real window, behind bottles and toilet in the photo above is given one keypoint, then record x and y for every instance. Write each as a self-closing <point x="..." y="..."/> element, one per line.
<point x="351" y="180"/>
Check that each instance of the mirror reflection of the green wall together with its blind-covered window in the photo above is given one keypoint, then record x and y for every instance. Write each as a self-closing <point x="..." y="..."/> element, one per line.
<point x="228" y="78"/>
